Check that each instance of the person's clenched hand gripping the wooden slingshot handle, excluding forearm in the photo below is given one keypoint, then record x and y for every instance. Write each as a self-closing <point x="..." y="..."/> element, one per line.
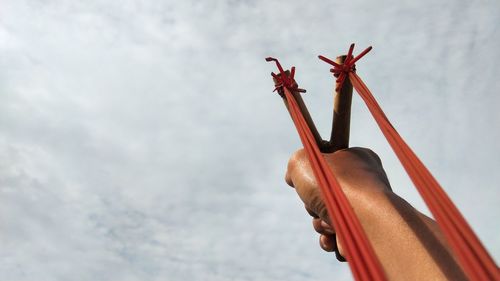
<point x="361" y="176"/>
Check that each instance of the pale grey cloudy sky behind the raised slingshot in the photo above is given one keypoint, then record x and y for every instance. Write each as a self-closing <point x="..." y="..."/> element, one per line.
<point x="141" y="140"/>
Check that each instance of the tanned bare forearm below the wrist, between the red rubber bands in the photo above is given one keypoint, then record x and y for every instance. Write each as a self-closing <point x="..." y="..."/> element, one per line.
<point x="408" y="244"/>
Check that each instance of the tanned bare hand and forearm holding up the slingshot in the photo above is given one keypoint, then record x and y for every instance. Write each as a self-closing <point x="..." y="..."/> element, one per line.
<point x="408" y="244"/>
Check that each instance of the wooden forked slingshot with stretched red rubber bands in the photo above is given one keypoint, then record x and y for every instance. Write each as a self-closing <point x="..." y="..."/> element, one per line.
<point x="471" y="254"/>
